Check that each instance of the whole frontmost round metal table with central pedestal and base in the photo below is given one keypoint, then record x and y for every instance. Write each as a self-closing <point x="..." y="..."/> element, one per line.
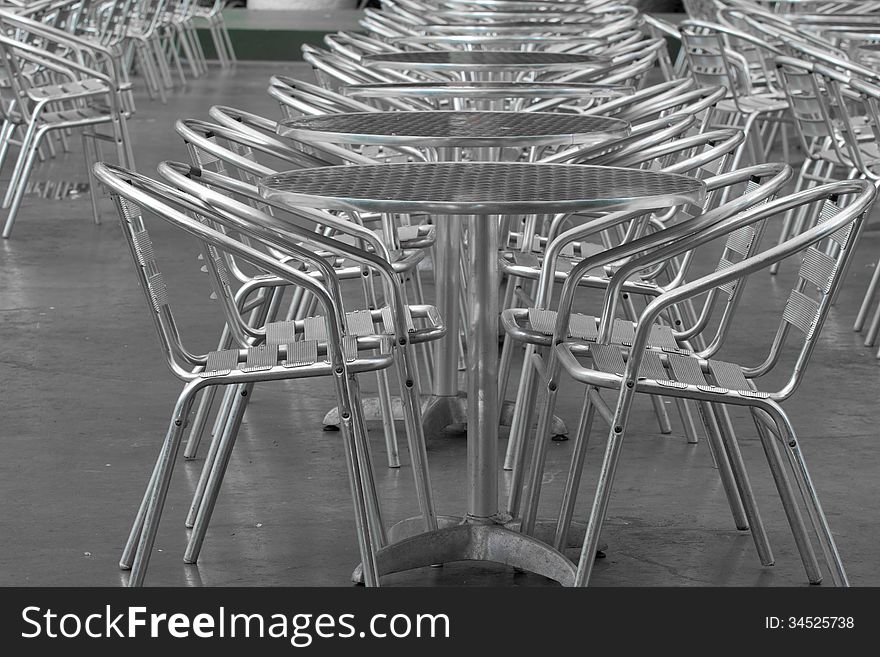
<point x="475" y="193"/>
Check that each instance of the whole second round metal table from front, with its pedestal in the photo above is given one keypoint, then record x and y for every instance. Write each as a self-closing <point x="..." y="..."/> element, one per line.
<point x="447" y="135"/>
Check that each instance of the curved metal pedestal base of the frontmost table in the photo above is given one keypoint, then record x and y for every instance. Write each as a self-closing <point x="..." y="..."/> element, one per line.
<point x="458" y="539"/>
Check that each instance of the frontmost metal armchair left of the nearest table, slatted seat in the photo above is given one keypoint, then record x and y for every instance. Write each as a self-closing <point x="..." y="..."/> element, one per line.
<point x="327" y="347"/>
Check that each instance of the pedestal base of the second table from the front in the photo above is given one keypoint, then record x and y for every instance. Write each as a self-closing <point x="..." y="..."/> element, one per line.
<point x="439" y="413"/>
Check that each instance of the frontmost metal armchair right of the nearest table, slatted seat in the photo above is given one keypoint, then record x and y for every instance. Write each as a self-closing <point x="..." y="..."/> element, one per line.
<point x="639" y="368"/>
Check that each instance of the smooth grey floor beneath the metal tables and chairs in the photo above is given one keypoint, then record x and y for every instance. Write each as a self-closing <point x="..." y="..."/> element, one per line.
<point x="85" y="397"/>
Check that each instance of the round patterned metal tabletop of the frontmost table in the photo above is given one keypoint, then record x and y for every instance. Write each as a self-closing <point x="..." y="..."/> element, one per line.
<point x="480" y="188"/>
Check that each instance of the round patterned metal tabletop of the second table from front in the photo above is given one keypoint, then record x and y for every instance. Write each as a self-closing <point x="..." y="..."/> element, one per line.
<point x="454" y="128"/>
